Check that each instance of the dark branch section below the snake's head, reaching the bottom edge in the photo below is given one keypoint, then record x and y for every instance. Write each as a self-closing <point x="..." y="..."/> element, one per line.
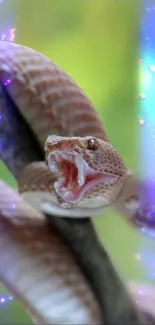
<point x="115" y="302"/>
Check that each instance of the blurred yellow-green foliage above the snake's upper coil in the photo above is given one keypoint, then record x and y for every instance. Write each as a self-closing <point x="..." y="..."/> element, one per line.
<point x="99" y="50"/>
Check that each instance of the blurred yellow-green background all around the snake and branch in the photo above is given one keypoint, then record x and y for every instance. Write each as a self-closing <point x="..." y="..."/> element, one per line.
<point x="97" y="43"/>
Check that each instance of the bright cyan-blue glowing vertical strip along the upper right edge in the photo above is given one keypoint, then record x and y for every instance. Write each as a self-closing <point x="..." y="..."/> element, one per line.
<point x="146" y="95"/>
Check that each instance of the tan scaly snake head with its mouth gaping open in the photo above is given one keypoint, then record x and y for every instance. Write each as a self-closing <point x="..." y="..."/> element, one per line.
<point x="87" y="169"/>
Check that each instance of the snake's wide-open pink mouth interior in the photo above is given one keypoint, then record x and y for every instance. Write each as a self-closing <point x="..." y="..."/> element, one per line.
<point x="74" y="175"/>
